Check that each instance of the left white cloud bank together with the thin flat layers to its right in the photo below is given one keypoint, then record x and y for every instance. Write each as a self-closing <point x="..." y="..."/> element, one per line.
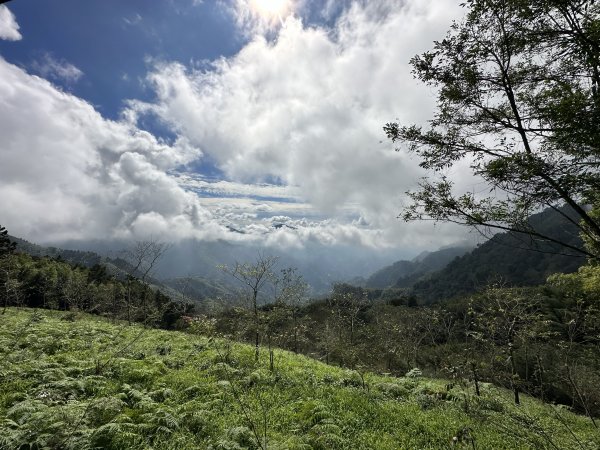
<point x="69" y="174"/>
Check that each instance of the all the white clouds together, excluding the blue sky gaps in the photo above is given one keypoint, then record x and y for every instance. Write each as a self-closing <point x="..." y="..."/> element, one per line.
<point x="293" y="121"/>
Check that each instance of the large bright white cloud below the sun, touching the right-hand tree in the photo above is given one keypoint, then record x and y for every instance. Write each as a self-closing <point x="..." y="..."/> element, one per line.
<point x="307" y="108"/>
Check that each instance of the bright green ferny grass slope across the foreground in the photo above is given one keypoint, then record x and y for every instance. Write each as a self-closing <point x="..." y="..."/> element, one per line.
<point x="77" y="381"/>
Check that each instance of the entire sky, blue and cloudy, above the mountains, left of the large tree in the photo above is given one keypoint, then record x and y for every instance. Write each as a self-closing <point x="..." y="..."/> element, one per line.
<point x="243" y="120"/>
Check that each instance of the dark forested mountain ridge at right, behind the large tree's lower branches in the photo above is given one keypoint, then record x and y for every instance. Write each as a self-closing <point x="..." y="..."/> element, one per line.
<point x="509" y="258"/>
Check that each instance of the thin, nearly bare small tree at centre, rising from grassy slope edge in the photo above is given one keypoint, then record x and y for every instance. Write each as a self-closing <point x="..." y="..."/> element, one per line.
<point x="254" y="279"/>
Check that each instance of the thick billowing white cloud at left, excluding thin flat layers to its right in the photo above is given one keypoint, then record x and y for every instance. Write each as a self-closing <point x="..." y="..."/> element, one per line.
<point x="68" y="173"/>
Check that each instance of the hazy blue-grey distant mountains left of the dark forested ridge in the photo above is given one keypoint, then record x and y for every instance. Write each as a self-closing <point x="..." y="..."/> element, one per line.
<point x="190" y="268"/>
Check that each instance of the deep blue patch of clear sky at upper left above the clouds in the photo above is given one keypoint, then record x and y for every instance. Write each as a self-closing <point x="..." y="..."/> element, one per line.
<point x="111" y="41"/>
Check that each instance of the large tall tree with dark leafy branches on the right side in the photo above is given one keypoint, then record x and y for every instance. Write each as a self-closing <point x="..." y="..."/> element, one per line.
<point x="518" y="100"/>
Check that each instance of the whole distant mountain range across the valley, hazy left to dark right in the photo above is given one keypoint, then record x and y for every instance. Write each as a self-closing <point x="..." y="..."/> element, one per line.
<point x="189" y="269"/>
